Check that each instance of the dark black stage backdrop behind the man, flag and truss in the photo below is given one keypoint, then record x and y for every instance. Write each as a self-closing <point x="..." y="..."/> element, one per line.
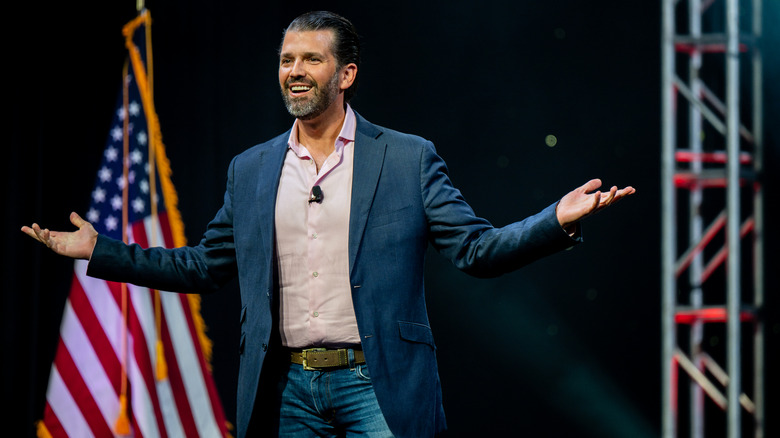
<point x="569" y="346"/>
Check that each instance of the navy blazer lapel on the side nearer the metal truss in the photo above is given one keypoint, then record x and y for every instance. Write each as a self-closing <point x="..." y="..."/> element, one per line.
<point x="369" y="157"/>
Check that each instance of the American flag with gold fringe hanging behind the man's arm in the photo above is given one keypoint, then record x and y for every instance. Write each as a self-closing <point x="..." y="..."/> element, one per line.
<point x="132" y="361"/>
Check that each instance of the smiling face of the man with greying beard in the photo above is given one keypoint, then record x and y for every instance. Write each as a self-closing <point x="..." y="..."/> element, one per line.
<point x="308" y="73"/>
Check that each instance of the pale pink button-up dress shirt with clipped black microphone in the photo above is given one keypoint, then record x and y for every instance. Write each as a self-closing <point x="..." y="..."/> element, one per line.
<point x="312" y="245"/>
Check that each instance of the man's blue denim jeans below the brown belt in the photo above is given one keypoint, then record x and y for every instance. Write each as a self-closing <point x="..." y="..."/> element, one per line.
<point x="334" y="403"/>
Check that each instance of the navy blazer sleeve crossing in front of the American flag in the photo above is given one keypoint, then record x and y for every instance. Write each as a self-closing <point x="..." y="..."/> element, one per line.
<point x="202" y="268"/>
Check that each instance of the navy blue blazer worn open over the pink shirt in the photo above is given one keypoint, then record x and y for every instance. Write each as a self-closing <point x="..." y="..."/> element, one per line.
<point x="402" y="199"/>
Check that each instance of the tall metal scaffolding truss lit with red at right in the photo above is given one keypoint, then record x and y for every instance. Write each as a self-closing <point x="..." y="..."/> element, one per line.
<point x="712" y="208"/>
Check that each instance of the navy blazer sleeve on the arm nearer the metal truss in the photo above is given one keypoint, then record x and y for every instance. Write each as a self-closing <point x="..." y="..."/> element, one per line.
<point x="472" y="243"/>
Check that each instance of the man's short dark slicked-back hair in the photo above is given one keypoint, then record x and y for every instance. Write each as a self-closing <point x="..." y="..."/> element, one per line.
<point x="346" y="43"/>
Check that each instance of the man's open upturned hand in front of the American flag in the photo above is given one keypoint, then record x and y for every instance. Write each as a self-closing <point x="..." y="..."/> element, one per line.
<point x="76" y="244"/>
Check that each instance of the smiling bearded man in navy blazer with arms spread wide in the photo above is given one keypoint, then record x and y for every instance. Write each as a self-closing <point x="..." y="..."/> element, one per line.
<point x="326" y="227"/>
